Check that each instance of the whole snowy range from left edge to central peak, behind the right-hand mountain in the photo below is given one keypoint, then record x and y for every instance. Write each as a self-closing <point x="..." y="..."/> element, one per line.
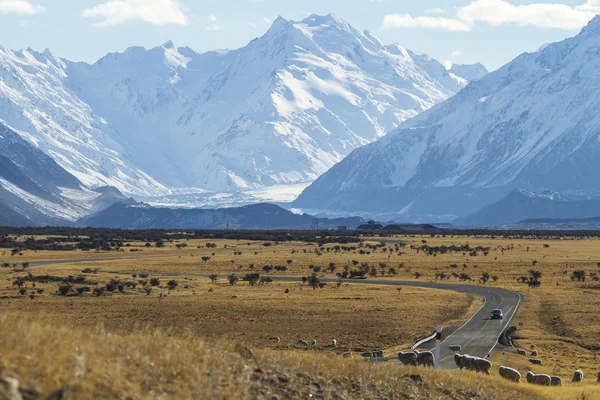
<point x="267" y="118"/>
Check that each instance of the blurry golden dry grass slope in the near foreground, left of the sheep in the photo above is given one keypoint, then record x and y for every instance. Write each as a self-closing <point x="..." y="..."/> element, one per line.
<point x="97" y="364"/>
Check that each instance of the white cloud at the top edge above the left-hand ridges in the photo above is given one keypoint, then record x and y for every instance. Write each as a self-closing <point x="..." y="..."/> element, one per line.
<point x="156" y="12"/>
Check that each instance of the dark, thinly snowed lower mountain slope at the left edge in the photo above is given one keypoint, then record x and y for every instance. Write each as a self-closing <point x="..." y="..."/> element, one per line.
<point x="35" y="190"/>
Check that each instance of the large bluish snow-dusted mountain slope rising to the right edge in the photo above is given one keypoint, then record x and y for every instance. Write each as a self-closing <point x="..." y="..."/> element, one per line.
<point x="532" y="124"/>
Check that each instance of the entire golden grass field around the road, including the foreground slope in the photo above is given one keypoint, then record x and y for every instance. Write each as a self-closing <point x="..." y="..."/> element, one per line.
<point x="560" y="317"/>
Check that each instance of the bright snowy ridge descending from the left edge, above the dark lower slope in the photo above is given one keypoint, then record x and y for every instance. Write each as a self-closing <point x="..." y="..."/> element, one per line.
<point x="35" y="101"/>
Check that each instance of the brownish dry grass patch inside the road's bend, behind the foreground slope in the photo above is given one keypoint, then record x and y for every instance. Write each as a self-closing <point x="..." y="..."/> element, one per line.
<point x="364" y="317"/>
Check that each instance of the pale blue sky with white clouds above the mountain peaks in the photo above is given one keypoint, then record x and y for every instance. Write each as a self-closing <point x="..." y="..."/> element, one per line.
<point x="463" y="31"/>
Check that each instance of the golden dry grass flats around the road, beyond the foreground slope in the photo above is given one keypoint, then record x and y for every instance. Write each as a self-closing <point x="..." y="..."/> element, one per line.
<point x="561" y="319"/>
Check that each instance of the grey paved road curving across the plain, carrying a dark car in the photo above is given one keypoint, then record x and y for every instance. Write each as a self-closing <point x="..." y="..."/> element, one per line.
<point x="478" y="336"/>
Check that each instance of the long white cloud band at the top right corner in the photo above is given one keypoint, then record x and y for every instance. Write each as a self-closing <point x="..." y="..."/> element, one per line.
<point x="501" y="12"/>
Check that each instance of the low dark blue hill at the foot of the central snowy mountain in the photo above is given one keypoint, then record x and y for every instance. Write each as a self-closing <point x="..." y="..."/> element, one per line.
<point x="258" y="216"/>
